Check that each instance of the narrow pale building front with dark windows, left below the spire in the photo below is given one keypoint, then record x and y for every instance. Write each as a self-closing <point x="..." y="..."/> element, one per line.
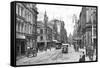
<point x="40" y="35"/>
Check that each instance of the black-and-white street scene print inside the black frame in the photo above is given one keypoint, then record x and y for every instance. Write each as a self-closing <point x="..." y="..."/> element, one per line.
<point x="48" y="33"/>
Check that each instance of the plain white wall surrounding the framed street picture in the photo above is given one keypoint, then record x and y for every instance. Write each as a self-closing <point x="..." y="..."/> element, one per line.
<point x="5" y="34"/>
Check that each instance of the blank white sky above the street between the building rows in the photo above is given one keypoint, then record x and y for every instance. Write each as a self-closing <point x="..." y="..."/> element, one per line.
<point x="64" y="13"/>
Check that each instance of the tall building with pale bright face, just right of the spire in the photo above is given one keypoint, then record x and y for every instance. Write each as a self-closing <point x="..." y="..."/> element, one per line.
<point x="59" y="33"/>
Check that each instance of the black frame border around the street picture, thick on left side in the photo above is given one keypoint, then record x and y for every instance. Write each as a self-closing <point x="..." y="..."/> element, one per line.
<point x="13" y="33"/>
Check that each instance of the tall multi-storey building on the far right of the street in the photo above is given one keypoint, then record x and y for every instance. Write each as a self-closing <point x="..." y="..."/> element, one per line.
<point x="87" y="28"/>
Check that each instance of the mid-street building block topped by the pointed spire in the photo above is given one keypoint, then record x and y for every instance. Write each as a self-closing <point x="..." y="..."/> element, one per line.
<point x="44" y="30"/>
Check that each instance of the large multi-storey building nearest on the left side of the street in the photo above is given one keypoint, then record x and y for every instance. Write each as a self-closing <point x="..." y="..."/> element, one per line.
<point x="26" y="19"/>
